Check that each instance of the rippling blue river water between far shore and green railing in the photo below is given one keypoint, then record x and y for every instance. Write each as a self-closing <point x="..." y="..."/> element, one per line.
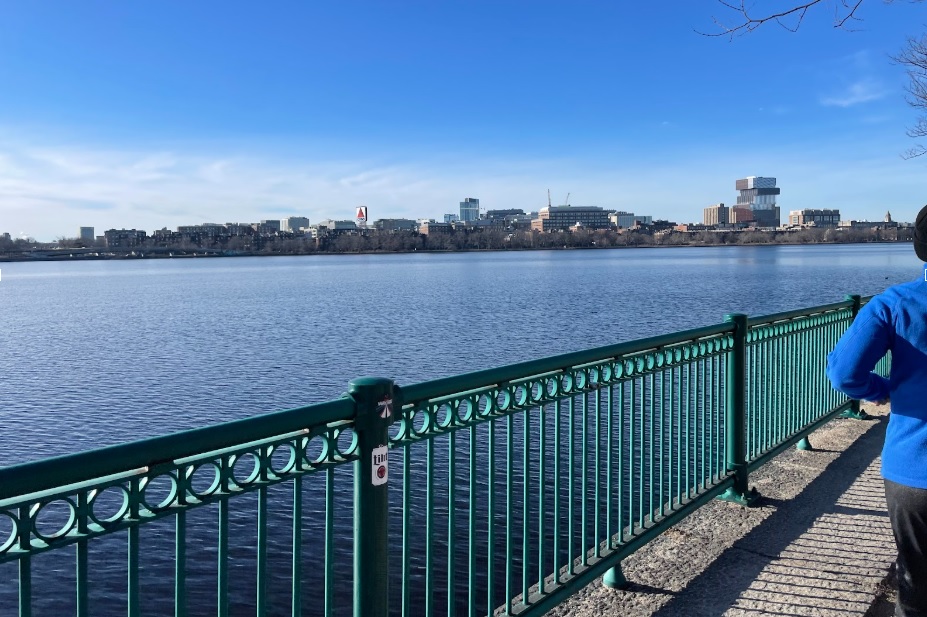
<point x="96" y="353"/>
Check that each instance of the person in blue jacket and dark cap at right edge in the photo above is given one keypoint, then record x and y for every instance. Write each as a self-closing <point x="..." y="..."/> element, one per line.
<point x="896" y="321"/>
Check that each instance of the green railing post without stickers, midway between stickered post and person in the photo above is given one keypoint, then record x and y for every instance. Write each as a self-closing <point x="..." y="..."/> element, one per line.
<point x="735" y="414"/>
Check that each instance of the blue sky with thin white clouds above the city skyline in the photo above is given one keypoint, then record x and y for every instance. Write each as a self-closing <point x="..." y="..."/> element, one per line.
<point x="149" y="115"/>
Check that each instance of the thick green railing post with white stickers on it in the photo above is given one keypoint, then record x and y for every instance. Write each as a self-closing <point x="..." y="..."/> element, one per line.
<point x="374" y="398"/>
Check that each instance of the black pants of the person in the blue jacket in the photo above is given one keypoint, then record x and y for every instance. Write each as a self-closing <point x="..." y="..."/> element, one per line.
<point x="907" y="510"/>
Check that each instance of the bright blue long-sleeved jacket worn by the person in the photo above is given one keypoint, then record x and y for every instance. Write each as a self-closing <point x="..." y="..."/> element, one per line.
<point x="896" y="321"/>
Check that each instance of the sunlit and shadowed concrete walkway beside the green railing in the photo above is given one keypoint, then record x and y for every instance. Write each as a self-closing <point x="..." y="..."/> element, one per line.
<point x="818" y="543"/>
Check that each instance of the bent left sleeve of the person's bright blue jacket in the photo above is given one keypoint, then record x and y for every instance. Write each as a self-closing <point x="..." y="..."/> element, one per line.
<point x="850" y="364"/>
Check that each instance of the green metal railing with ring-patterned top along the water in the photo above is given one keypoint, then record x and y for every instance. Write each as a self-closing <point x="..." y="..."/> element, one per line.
<point x="505" y="489"/>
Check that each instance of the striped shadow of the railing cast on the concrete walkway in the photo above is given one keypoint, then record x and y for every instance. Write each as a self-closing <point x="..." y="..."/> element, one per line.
<point x="825" y="552"/>
